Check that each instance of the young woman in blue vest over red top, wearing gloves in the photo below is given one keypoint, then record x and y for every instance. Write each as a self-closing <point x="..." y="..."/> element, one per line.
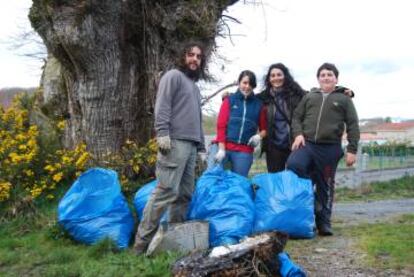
<point x="241" y="125"/>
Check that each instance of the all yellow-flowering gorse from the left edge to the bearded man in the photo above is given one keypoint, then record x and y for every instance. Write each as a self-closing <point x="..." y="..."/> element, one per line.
<point x="32" y="168"/>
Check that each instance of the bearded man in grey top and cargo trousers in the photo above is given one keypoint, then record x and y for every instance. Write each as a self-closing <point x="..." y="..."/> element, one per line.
<point x="179" y="137"/>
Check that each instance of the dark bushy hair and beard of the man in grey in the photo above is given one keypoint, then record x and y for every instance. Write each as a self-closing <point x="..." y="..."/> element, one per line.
<point x="186" y="48"/>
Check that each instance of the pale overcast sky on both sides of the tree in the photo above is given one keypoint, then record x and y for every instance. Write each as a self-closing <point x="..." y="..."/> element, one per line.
<point x="369" y="41"/>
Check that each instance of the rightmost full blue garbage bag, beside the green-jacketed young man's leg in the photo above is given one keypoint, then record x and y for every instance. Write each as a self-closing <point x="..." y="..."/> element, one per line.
<point x="284" y="202"/>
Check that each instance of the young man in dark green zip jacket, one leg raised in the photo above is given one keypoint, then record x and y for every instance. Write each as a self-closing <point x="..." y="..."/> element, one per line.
<point x="318" y="124"/>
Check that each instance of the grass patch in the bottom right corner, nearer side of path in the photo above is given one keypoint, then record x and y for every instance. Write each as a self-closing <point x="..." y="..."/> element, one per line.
<point x="388" y="245"/>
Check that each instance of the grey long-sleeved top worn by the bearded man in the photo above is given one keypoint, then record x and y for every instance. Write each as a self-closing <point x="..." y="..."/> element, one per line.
<point x="178" y="109"/>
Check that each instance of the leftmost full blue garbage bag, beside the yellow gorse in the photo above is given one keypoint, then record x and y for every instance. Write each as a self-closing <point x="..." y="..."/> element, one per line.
<point x="94" y="209"/>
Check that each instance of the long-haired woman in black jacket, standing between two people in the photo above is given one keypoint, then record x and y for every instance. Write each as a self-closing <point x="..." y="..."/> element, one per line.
<point x="281" y="96"/>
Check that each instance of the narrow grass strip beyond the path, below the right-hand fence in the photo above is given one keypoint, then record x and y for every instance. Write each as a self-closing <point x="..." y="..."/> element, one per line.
<point x="394" y="189"/>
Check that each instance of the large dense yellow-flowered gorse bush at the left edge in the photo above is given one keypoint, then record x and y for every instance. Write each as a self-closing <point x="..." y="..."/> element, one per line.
<point x="29" y="169"/>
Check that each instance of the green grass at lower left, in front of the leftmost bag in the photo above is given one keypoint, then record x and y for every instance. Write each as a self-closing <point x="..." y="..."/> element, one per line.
<point x="37" y="247"/>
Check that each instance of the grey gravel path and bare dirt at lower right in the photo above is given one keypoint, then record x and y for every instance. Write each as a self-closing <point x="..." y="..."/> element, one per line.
<point x="336" y="256"/>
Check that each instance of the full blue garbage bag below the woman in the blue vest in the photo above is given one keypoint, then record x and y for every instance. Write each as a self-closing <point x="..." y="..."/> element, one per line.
<point x="225" y="199"/>
